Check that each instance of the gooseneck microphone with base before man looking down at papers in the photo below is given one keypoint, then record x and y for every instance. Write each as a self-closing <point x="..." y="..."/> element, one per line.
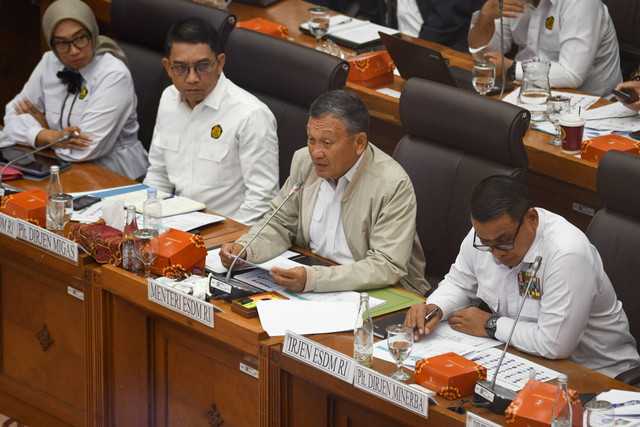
<point x="498" y="398"/>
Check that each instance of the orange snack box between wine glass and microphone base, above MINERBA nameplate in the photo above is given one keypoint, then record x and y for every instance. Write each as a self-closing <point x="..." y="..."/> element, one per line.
<point x="450" y="375"/>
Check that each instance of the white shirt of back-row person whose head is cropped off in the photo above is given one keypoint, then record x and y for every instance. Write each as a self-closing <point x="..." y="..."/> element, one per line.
<point x="576" y="36"/>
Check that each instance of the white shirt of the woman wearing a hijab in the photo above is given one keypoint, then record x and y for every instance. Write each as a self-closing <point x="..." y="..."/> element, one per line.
<point x="107" y="113"/>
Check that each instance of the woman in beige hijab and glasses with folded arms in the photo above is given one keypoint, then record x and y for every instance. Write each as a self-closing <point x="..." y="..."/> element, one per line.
<point x="82" y="85"/>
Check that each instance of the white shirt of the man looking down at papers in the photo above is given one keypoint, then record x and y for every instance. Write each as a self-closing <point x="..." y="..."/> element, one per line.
<point x="578" y="315"/>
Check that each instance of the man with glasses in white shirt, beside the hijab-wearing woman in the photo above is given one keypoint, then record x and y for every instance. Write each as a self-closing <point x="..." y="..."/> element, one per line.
<point x="213" y="141"/>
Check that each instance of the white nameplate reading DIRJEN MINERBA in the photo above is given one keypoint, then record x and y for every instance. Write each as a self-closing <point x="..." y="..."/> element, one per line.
<point x="391" y="390"/>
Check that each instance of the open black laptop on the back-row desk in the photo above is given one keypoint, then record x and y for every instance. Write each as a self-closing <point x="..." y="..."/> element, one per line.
<point x="414" y="60"/>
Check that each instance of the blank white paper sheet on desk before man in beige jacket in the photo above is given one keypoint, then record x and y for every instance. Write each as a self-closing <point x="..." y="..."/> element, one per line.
<point x="306" y="317"/>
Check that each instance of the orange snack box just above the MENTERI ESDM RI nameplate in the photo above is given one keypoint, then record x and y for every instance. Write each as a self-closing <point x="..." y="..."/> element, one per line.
<point x="179" y="251"/>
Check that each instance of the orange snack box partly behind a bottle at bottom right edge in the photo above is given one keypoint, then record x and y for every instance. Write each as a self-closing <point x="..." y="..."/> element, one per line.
<point x="533" y="405"/>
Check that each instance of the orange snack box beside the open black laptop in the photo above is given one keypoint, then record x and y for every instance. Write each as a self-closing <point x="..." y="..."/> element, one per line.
<point x="371" y="69"/>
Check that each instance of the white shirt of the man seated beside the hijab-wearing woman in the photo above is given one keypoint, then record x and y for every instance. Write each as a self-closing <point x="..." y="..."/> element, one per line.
<point x="223" y="153"/>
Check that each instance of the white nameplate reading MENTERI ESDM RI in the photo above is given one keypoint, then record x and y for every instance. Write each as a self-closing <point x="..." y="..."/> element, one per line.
<point x="180" y="302"/>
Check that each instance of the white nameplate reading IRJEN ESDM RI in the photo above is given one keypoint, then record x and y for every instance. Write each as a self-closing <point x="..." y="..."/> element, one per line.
<point x="319" y="356"/>
